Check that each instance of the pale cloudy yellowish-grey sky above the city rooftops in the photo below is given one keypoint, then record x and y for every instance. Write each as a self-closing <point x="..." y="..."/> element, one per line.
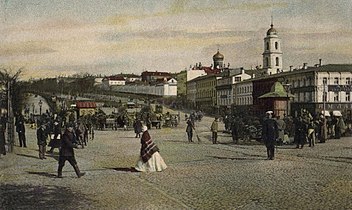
<point x="51" y="38"/>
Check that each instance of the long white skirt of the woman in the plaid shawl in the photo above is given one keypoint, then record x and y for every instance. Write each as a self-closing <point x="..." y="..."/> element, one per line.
<point x="155" y="163"/>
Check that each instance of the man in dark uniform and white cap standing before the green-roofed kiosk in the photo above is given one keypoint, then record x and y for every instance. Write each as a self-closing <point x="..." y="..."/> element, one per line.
<point x="270" y="133"/>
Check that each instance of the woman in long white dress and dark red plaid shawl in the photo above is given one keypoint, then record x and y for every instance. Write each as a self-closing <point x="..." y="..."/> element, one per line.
<point x="150" y="159"/>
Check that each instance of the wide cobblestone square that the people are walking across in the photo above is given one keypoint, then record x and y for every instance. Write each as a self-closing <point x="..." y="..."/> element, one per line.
<point x="199" y="175"/>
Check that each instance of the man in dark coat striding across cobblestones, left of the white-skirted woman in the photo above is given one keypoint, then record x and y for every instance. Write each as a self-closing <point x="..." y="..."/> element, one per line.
<point x="68" y="143"/>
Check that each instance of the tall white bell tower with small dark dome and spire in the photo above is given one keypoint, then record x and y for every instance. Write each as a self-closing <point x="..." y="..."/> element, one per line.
<point x="272" y="55"/>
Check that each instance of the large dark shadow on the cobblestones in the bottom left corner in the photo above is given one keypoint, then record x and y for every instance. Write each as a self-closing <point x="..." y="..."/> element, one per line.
<point x="40" y="197"/>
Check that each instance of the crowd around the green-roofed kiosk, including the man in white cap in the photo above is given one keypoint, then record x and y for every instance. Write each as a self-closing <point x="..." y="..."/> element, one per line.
<point x="304" y="129"/>
